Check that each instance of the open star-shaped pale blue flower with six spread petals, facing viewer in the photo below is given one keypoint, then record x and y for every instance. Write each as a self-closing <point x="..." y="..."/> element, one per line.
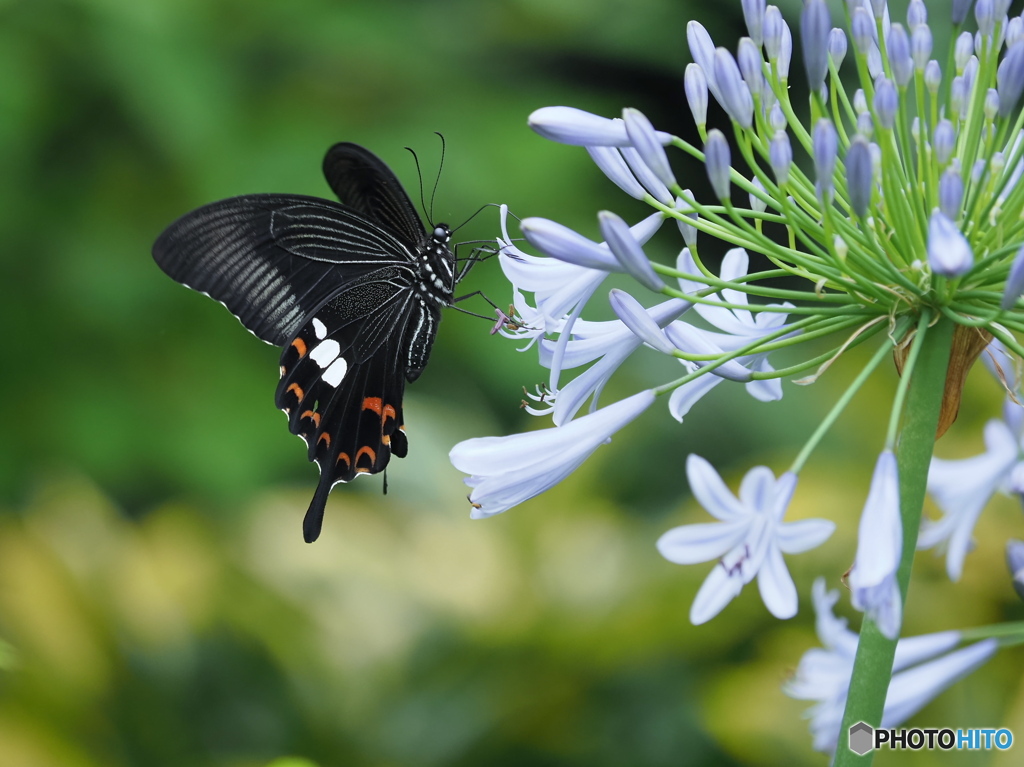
<point x="749" y="541"/>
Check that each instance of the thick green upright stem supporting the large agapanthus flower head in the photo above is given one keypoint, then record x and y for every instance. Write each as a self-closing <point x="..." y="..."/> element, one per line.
<point x="873" y="667"/>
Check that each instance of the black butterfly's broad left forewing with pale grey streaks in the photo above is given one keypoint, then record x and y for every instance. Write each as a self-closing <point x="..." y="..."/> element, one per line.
<point x="274" y="260"/>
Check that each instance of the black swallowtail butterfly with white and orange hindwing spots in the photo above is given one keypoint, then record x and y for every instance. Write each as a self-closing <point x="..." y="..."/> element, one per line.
<point x="353" y="292"/>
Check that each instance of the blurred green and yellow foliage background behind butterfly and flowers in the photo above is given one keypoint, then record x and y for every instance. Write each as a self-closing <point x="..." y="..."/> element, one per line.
<point x="157" y="604"/>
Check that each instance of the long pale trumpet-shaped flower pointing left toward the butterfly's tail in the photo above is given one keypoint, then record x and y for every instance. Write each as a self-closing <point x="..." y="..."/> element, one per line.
<point x="505" y="472"/>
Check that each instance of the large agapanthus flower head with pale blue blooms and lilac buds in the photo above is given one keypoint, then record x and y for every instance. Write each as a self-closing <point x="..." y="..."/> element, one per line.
<point x="892" y="195"/>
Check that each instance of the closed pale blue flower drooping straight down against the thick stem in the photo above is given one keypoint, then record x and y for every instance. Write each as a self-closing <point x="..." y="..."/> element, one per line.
<point x="880" y="545"/>
